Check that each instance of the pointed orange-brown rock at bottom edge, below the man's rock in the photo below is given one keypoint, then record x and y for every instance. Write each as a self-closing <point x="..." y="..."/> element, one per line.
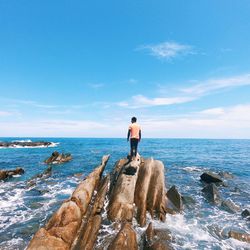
<point x="125" y="239"/>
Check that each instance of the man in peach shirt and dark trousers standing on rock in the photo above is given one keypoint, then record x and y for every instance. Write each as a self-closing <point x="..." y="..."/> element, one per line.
<point x="134" y="135"/>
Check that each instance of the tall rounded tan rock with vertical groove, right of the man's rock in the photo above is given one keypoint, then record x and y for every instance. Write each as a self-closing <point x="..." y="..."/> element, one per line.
<point x="149" y="192"/>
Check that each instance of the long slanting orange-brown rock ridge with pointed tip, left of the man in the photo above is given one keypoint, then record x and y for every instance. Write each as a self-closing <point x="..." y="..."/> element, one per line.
<point x="61" y="230"/>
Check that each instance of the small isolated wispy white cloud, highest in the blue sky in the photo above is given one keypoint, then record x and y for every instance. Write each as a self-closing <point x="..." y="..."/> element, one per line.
<point x="168" y="50"/>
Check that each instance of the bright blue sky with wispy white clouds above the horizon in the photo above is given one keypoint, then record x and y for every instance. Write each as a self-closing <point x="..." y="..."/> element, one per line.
<point x="84" y="68"/>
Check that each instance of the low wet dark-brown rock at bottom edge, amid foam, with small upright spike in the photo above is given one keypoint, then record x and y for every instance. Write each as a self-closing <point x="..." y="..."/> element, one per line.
<point x="155" y="239"/>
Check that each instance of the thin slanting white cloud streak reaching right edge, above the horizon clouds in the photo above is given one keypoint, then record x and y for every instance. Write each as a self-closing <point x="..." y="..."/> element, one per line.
<point x="211" y="85"/>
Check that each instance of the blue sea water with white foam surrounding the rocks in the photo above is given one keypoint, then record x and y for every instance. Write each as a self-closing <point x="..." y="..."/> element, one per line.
<point x="24" y="209"/>
